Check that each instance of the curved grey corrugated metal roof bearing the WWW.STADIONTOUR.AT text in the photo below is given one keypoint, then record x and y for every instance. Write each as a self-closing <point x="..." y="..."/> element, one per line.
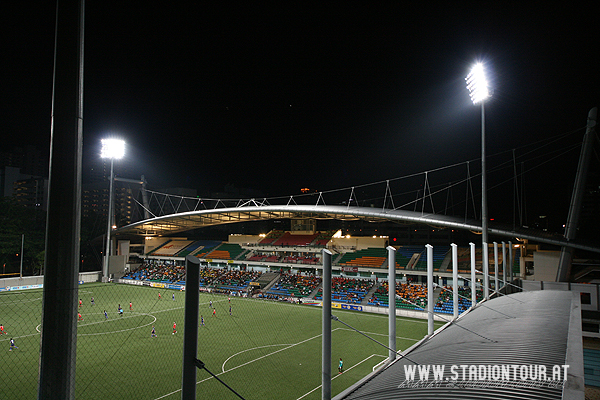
<point x="536" y="333"/>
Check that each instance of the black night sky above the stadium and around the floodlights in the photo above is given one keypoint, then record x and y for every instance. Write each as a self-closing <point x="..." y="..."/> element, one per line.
<point x="311" y="94"/>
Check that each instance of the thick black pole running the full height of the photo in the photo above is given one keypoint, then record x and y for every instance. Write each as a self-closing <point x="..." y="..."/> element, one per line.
<point x="58" y="341"/>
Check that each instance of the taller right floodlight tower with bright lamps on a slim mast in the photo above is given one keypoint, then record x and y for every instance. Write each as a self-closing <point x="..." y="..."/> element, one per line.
<point x="478" y="90"/>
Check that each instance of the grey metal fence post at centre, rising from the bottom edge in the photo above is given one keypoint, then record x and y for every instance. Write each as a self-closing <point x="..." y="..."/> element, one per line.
<point x="326" y="328"/>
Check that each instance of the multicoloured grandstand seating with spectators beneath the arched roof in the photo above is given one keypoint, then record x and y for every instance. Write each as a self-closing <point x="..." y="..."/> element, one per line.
<point x="285" y="265"/>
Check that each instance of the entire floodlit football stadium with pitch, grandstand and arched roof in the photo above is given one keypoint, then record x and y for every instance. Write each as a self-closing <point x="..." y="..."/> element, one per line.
<point x="297" y="303"/>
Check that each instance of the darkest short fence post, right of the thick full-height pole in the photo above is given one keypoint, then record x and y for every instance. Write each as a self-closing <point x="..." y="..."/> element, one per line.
<point x="190" y="328"/>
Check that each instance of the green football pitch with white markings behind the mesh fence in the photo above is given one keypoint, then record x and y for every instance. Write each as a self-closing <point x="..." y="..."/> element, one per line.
<point x="263" y="350"/>
